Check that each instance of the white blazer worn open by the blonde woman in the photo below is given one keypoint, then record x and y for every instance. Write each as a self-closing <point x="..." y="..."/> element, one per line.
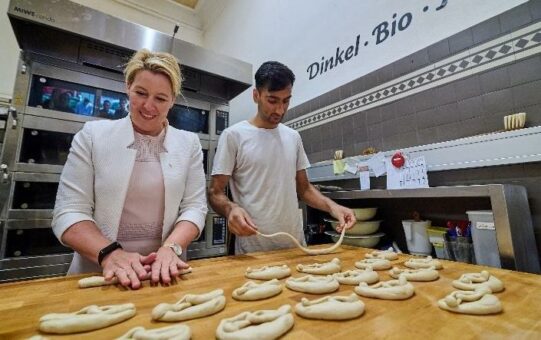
<point x="95" y="178"/>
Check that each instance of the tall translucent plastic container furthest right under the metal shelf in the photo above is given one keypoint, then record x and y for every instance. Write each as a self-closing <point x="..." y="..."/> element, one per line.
<point x="483" y="232"/>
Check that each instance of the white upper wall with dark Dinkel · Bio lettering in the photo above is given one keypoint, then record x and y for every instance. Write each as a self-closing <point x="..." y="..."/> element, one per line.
<point x="300" y="32"/>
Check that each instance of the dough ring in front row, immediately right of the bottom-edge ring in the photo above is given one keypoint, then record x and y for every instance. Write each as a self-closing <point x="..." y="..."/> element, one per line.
<point x="331" y="308"/>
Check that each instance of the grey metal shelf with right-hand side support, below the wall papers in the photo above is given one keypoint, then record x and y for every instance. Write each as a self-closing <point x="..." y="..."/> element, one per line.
<point x="512" y="218"/>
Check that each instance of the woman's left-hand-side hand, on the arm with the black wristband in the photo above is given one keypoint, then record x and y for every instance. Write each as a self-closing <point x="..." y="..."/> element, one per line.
<point x="129" y="268"/>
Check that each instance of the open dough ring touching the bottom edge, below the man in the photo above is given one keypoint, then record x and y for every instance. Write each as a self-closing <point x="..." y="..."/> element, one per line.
<point x="262" y="324"/>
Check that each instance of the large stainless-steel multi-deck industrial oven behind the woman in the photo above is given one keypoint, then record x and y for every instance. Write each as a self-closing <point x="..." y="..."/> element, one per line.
<point x="70" y="72"/>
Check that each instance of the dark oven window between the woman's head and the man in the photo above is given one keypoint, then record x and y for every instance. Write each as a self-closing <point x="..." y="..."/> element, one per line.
<point x="189" y="119"/>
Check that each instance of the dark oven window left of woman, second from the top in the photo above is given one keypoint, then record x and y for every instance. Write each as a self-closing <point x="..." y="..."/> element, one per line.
<point x="45" y="147"/>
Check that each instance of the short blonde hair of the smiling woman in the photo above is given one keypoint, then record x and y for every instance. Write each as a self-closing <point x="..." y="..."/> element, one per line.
<point x="158" y="62"/>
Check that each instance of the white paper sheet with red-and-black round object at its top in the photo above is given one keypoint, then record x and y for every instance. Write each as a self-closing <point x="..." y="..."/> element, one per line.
<point x="413" y="174"/>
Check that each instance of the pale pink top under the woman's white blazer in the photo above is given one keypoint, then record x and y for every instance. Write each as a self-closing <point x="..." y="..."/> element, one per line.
<point x="141" y="223"/>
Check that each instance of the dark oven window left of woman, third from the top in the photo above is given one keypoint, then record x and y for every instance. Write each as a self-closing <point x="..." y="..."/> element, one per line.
<point x="34" y="195"/>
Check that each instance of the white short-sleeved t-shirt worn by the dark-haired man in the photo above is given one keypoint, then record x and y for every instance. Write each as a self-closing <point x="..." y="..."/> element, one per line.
<point x="263" y="164"/>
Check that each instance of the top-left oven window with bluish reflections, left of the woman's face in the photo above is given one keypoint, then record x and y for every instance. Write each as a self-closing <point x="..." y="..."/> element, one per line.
<point x="58" y="95"/>
